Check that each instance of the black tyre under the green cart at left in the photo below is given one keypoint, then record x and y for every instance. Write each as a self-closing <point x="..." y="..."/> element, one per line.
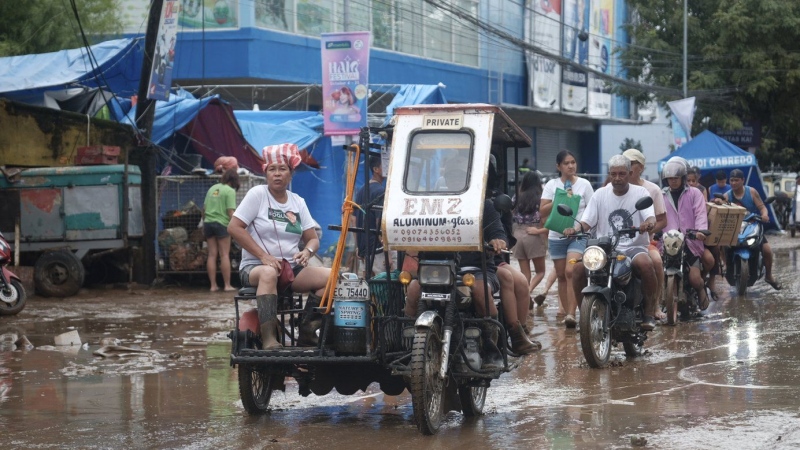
<point x="58" y="274"/>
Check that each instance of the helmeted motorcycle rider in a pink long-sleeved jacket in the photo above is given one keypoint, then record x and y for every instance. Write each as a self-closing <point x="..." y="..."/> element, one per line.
<point x="686" y="209"/>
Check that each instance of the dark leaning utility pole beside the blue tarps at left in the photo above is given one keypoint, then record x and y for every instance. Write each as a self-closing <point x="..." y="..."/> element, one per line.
<point x="145" y="112"/>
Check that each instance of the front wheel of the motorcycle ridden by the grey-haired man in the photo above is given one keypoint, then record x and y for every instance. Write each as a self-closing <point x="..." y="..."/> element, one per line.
<point x="595" y="343"/>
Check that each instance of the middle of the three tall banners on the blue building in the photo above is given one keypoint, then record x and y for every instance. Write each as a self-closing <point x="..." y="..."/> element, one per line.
<point x="574" y="82"/>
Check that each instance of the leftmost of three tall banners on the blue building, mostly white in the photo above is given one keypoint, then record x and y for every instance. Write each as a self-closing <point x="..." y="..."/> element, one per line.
<point x="545" y="73"/>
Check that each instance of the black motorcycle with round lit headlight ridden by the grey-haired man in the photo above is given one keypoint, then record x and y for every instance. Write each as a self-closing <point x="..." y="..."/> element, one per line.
<point x="613" y="304"/>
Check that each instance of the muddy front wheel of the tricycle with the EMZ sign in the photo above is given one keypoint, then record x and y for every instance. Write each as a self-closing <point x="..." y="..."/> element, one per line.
<point x="427" y="389"/>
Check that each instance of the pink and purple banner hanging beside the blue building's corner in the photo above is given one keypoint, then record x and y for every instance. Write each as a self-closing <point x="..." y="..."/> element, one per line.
<point x="345" y="74"/>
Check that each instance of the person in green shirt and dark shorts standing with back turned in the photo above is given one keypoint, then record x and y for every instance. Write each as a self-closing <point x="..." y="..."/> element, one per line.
<point x="218" y="208"/>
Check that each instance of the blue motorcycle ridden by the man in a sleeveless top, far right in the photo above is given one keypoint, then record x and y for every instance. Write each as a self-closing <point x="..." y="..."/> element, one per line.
<point x="744" y="262"/>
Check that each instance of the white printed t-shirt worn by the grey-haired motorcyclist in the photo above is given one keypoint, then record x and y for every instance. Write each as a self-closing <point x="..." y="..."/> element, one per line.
<point x="607" y="210"/>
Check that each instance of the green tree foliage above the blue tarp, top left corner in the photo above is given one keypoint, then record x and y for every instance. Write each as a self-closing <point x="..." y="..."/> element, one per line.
<point x="41" y="26"/>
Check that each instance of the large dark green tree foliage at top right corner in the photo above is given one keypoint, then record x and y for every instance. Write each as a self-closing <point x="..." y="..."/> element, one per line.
<point x="743" y="64"/>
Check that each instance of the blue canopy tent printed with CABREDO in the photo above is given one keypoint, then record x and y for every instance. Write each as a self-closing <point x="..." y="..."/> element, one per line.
<point x="710" y="153"/>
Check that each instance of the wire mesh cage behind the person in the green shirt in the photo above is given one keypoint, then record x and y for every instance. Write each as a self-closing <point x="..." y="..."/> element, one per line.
<point x="181" y="247"/>
